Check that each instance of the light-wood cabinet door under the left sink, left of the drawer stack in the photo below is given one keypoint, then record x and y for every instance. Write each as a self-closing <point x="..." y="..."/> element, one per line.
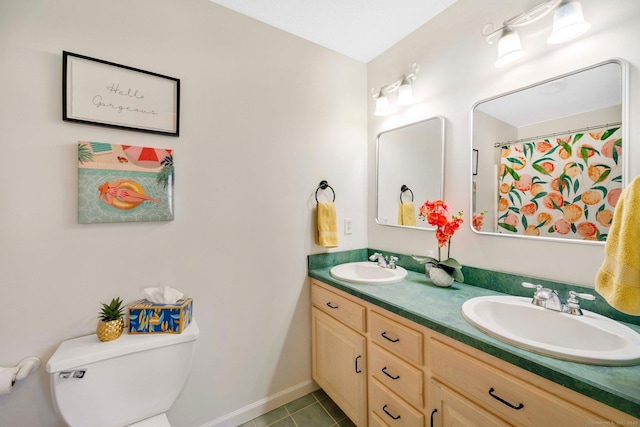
<point x="339" y="365"/>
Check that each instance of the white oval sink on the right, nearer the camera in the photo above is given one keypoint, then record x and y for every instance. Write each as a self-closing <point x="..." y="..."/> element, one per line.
<point x="590" y="338"/>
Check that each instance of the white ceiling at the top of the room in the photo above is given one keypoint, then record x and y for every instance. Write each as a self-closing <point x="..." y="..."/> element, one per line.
<point x="360" y="29"/>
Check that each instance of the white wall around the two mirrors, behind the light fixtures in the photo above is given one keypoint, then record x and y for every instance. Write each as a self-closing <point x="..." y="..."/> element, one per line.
<point x="456" y="71"/>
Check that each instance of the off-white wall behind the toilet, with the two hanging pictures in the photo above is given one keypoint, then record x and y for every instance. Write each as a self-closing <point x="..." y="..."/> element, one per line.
<point x="265" y="117"/>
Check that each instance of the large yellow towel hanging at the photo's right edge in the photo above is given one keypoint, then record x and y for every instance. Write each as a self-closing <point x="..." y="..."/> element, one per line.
<point x="618" y="279"/>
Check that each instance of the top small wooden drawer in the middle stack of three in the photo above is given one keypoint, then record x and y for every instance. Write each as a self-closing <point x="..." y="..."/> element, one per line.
<point x="399" y="339"/>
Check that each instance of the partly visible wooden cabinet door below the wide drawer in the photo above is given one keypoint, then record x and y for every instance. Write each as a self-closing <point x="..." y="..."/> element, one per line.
<point x="449" y="409"/>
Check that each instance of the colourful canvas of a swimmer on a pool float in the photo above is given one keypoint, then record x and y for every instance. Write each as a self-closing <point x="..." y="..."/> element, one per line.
<point x="123" y="183"/>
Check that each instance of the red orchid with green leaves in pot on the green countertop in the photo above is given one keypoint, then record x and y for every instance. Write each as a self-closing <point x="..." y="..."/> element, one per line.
<point x="436" y="213"/>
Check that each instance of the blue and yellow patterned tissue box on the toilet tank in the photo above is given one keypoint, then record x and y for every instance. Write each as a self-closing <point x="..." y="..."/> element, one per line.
<point x="146" y="317"/>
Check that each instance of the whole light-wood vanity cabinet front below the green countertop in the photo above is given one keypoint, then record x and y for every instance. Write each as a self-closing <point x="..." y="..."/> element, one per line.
<point x="420" y="378"/>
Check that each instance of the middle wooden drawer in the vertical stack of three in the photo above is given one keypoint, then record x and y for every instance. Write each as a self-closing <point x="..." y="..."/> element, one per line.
<point x="399" y="376"/>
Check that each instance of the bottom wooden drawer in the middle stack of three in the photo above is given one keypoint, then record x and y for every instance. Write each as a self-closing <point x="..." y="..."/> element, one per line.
<point x="391" y="409"/>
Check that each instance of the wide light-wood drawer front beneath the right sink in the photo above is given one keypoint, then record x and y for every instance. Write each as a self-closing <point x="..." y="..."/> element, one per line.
<point x="502" y="393"/>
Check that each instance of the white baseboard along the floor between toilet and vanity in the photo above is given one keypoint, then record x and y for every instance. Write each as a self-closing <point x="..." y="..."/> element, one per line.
<point x="263" y="406"/>
